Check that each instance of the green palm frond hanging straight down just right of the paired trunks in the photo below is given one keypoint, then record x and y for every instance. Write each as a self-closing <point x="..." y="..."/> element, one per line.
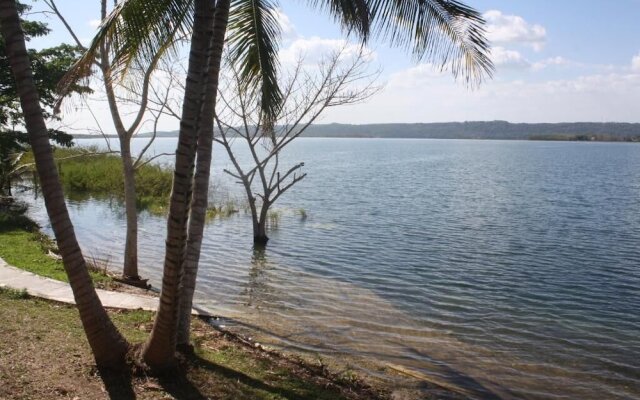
<point x="253" y="36"/>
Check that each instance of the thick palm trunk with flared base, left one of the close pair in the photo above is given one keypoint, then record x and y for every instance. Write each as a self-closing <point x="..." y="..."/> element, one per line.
<point x="159" y="350"/>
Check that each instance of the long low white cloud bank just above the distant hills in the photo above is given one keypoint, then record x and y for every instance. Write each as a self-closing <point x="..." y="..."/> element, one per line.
<point x="422" y="94"/>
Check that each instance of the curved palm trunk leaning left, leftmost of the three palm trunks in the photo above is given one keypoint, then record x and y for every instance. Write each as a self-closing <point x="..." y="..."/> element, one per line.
<point x="108" y="346"/>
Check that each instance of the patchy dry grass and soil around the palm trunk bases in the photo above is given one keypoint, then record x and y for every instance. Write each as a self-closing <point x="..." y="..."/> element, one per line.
<point x="50" y="335"/>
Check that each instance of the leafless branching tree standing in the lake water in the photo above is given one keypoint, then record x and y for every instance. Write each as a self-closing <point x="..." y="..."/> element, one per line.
<point x="341" y="78"/>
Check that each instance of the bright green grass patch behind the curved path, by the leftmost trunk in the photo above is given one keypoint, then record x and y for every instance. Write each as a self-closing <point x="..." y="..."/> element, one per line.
<point x="24" y="246"/>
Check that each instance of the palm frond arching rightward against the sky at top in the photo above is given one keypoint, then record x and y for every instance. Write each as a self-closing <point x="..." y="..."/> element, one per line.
<point x="446" y="32"/>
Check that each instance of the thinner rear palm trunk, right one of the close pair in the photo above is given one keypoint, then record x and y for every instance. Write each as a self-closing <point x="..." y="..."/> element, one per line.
<point x="203" y="168"/>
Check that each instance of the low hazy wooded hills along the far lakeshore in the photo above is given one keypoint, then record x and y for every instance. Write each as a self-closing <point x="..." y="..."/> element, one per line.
<point x="610" y="131"/>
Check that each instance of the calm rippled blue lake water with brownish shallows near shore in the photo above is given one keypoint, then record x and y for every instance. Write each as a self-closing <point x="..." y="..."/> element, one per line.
<point x="505" y="268"/>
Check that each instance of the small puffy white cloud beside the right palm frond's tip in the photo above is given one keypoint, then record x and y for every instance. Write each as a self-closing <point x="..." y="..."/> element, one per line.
<point x="503" y="29"/>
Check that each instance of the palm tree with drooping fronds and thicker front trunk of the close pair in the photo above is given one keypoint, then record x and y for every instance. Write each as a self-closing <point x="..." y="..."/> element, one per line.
<point x="444" y="31"/>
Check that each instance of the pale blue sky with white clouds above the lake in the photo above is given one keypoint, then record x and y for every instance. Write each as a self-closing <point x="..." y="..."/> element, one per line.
<point x="560" y="61"/>
